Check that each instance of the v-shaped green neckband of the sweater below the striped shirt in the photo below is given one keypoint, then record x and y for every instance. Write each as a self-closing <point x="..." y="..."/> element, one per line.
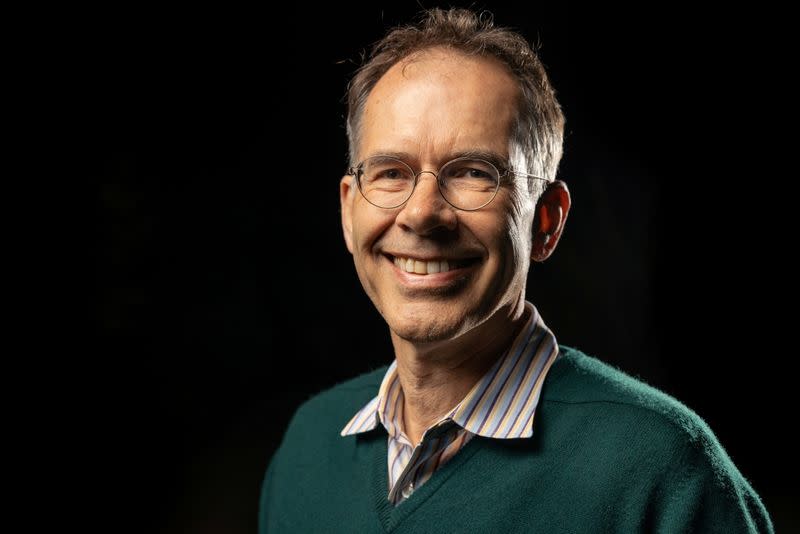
<point x="389" y="514"/>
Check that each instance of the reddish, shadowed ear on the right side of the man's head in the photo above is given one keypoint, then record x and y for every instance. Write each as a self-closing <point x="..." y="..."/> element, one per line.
<point x="551" y="215"/>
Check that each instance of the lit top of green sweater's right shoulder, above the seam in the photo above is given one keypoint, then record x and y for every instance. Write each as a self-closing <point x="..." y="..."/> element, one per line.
<point x="580" y="379"/>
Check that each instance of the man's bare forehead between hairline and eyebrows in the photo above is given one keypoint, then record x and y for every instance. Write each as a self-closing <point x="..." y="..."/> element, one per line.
<point x="439" y="102"/>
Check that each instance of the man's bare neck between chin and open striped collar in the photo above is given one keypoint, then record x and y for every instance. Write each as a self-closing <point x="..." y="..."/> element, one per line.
<point x="435" y="377"/>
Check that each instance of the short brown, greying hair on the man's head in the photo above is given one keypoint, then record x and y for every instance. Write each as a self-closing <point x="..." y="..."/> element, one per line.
<point x="539" y="126"/>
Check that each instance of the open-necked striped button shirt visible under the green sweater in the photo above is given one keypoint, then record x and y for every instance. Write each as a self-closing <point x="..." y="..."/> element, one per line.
<point x="501" y="405"/>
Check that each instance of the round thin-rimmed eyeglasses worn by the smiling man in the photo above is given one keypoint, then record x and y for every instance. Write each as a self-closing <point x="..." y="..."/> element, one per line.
<point x="465" y="183"/>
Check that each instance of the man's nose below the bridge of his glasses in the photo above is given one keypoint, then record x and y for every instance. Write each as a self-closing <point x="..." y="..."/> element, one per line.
<point x="426" y="211"/>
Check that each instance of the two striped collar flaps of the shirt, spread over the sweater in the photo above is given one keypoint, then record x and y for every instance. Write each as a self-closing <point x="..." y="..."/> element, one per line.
<point x="500" y="405"/>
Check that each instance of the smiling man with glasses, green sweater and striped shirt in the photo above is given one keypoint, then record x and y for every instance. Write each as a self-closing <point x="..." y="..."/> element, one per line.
<point x="482" y="423"/>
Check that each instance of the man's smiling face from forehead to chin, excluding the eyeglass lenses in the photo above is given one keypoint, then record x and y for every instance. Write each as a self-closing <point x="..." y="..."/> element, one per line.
<point x="430" y="110"/>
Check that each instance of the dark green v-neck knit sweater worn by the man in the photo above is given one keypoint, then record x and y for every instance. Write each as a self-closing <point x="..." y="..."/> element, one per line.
<point x="608" y="454"/>
